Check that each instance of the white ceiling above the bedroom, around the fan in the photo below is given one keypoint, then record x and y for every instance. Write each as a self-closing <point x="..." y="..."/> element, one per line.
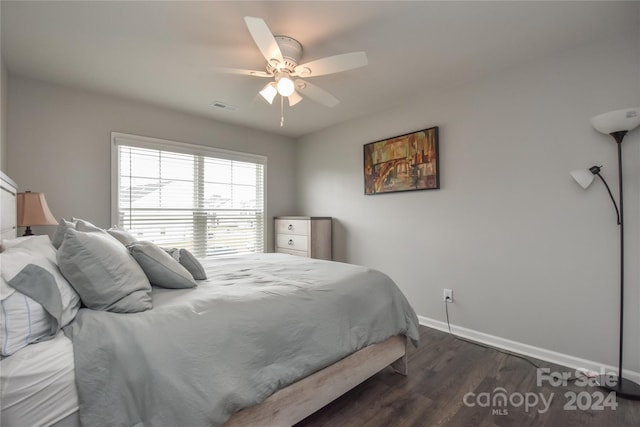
<point x="165" y="52"/>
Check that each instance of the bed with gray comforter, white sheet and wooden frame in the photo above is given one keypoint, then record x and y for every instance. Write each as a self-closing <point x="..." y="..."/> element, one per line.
<point x="266" y="339"/>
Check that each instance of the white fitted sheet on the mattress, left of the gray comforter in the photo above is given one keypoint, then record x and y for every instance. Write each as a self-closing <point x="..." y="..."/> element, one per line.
<point x="37" y="384"/>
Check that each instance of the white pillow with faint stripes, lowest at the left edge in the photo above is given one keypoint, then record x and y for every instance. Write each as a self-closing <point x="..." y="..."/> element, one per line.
<point x="23" y="321"/>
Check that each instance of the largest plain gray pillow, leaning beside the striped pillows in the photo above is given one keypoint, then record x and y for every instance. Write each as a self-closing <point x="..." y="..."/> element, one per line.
<point x="103" y="273"/>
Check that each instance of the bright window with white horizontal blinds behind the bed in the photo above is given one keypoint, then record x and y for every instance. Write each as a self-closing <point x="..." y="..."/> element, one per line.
<point x="179" y="195"/>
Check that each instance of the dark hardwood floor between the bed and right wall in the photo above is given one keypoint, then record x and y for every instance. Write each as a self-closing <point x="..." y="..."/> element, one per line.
<point x="452" y="382"/>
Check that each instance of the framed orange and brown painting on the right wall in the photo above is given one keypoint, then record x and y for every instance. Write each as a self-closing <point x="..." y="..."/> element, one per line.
<point x="402" y="163"/>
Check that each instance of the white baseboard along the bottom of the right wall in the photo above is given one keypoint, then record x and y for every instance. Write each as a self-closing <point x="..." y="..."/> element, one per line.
<point x="569" y="361"/>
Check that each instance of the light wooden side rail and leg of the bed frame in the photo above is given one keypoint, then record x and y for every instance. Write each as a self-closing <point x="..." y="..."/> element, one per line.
<point x="301" y="399"/>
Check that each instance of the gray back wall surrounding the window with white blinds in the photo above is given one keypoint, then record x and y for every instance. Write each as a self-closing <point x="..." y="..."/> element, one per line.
<point x="59" y="144"/>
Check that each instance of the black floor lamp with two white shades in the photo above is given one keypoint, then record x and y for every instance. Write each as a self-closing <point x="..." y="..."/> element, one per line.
<point x="617" y="124"/>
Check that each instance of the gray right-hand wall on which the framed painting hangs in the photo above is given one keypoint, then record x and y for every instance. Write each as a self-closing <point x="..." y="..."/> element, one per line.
<point x="531" y="257"/>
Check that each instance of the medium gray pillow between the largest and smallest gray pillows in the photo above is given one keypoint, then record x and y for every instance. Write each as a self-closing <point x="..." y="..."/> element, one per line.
<point x="161" y="269"/>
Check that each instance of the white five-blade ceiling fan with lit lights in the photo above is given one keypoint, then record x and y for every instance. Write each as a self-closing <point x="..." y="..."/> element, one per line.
<point x="283" y="54"/>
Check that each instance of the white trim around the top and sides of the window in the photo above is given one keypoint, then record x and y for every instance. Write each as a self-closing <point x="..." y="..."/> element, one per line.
<point x="118" y="138"/>
